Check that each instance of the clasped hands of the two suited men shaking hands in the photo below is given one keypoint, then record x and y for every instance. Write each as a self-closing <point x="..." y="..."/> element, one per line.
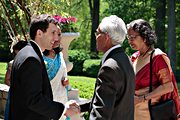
<point x="72" y="108"/>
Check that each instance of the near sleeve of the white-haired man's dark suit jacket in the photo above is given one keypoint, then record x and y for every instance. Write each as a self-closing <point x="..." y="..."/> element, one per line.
<point x="105" y="94"/>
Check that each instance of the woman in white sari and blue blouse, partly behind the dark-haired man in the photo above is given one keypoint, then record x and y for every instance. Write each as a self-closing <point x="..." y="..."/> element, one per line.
<point x="57" y="72"/>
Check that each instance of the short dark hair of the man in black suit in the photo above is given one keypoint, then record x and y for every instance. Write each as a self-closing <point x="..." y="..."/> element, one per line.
<point x="40" y="22"/>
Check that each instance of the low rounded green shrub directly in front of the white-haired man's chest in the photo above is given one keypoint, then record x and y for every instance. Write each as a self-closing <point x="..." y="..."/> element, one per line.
<point x="91" y="67"/>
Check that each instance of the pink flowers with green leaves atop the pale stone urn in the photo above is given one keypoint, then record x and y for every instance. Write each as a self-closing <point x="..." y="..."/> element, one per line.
<point x="66" y="23"/>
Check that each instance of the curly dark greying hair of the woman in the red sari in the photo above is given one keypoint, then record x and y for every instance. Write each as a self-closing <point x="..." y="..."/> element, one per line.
<point x="144" y="29"/>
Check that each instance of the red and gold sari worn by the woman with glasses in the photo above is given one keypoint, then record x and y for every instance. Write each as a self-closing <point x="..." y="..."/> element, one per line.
<point x="161" y="73"/>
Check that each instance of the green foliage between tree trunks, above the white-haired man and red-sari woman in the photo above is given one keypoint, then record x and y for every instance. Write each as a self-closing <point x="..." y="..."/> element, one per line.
<point x="129" y="10"/>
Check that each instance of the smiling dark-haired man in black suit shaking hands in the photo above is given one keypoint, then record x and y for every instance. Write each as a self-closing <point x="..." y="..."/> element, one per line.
<point x="30" y="91"/>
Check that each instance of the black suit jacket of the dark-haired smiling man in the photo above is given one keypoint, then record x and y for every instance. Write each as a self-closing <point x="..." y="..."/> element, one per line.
<point x="30" y="91"/>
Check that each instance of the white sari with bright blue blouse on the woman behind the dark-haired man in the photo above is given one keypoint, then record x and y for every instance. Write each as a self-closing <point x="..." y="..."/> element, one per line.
<point x="56" y="69"/>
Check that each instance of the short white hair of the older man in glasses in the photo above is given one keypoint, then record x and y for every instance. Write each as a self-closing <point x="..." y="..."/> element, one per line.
<point x="115" y="27"/>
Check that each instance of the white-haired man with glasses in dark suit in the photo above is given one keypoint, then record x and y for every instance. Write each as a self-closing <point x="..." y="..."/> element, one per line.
<point x="114" y="90"/>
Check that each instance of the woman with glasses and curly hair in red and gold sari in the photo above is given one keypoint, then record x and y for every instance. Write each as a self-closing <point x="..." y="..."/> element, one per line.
<point x="141" y="37"/>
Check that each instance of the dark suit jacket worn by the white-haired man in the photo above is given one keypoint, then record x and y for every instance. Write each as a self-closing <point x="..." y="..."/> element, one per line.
<point x="114" y="90"/>
